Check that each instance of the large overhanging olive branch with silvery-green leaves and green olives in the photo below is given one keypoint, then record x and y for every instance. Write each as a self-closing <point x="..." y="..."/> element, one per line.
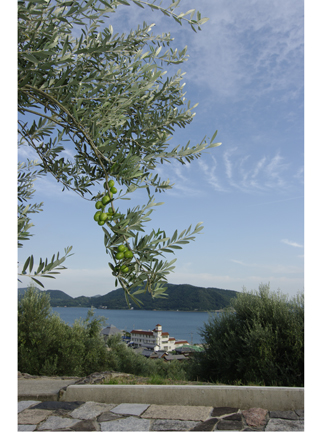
<point x="104" y="100"/>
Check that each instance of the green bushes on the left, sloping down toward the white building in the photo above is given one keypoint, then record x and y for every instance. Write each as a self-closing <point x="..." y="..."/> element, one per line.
<point x="49" y="346"/>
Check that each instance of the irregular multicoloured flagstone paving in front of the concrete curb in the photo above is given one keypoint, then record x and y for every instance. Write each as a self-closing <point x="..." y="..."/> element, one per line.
<point x="51" y="415"/>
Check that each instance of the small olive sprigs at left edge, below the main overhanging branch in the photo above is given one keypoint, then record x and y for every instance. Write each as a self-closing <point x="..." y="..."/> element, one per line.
<point x="26" y="179"/>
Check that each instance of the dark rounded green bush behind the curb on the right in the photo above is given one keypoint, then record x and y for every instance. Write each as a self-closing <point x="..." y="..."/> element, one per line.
<point x="259" y="341"/>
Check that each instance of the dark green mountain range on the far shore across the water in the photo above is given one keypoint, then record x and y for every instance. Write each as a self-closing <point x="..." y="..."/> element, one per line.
<point x="182" y="297"/>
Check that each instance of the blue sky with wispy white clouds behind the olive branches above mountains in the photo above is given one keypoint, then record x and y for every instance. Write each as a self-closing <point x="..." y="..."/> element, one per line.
<point x="246" y="71"/>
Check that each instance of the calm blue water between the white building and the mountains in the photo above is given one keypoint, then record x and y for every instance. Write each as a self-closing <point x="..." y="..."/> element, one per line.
<point x="180" y="325"/>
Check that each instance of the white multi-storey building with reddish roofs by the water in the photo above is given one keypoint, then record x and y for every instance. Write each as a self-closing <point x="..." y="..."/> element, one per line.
<point x="155" y="340"/>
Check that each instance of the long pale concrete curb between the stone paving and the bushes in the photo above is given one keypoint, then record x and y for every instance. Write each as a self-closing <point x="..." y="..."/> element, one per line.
<point x="244" y="397"/>
